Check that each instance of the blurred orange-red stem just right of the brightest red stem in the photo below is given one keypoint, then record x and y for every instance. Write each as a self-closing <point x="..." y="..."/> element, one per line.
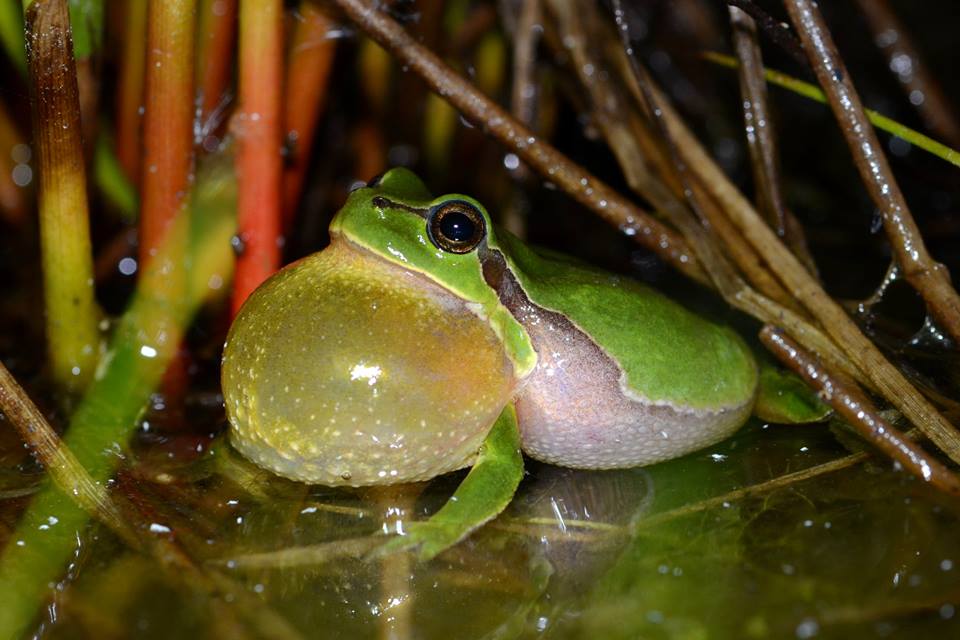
<point x="308" y="71"/>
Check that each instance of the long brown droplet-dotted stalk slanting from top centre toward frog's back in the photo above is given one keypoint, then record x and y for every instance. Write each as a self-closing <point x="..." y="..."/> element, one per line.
<point x="538" y="154"/>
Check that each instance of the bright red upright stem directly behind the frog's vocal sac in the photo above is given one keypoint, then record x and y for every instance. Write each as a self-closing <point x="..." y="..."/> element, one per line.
<point x="259" y="156"/>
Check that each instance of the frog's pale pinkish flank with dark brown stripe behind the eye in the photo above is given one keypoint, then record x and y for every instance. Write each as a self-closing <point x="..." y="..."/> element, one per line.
<point x="572" y="409"/>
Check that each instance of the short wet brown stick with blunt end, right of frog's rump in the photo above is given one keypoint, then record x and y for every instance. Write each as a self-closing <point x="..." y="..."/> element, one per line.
<point x="860" y="413"/>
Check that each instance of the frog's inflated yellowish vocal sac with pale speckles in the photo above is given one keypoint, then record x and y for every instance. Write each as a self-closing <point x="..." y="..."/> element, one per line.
<point x="344" y="369"/>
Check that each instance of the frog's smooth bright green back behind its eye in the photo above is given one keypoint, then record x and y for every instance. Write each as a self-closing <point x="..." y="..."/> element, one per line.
<point x="668" y="353"/>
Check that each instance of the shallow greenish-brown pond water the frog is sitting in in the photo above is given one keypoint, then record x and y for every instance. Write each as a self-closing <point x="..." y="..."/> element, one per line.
<point x="702" y="547"/>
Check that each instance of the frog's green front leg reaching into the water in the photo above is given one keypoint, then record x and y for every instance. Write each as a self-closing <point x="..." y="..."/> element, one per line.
<point x="483" y="494"/>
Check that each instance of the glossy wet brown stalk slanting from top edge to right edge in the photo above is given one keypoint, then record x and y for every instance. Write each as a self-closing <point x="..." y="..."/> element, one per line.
<point x="930" y="279"/>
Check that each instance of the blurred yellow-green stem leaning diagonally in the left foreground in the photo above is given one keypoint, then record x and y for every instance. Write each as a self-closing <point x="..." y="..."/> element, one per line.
<point x="146" y="340"/>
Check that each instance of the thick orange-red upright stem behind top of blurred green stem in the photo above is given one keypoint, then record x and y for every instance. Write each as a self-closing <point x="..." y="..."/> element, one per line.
<point x="168" y="120"/>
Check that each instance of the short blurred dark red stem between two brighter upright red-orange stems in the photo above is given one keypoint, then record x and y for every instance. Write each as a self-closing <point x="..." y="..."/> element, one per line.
<point x="217" y="31"/>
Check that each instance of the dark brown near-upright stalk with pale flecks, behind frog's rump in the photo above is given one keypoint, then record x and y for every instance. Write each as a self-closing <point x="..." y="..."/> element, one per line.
<point x="761" y="138"/>
